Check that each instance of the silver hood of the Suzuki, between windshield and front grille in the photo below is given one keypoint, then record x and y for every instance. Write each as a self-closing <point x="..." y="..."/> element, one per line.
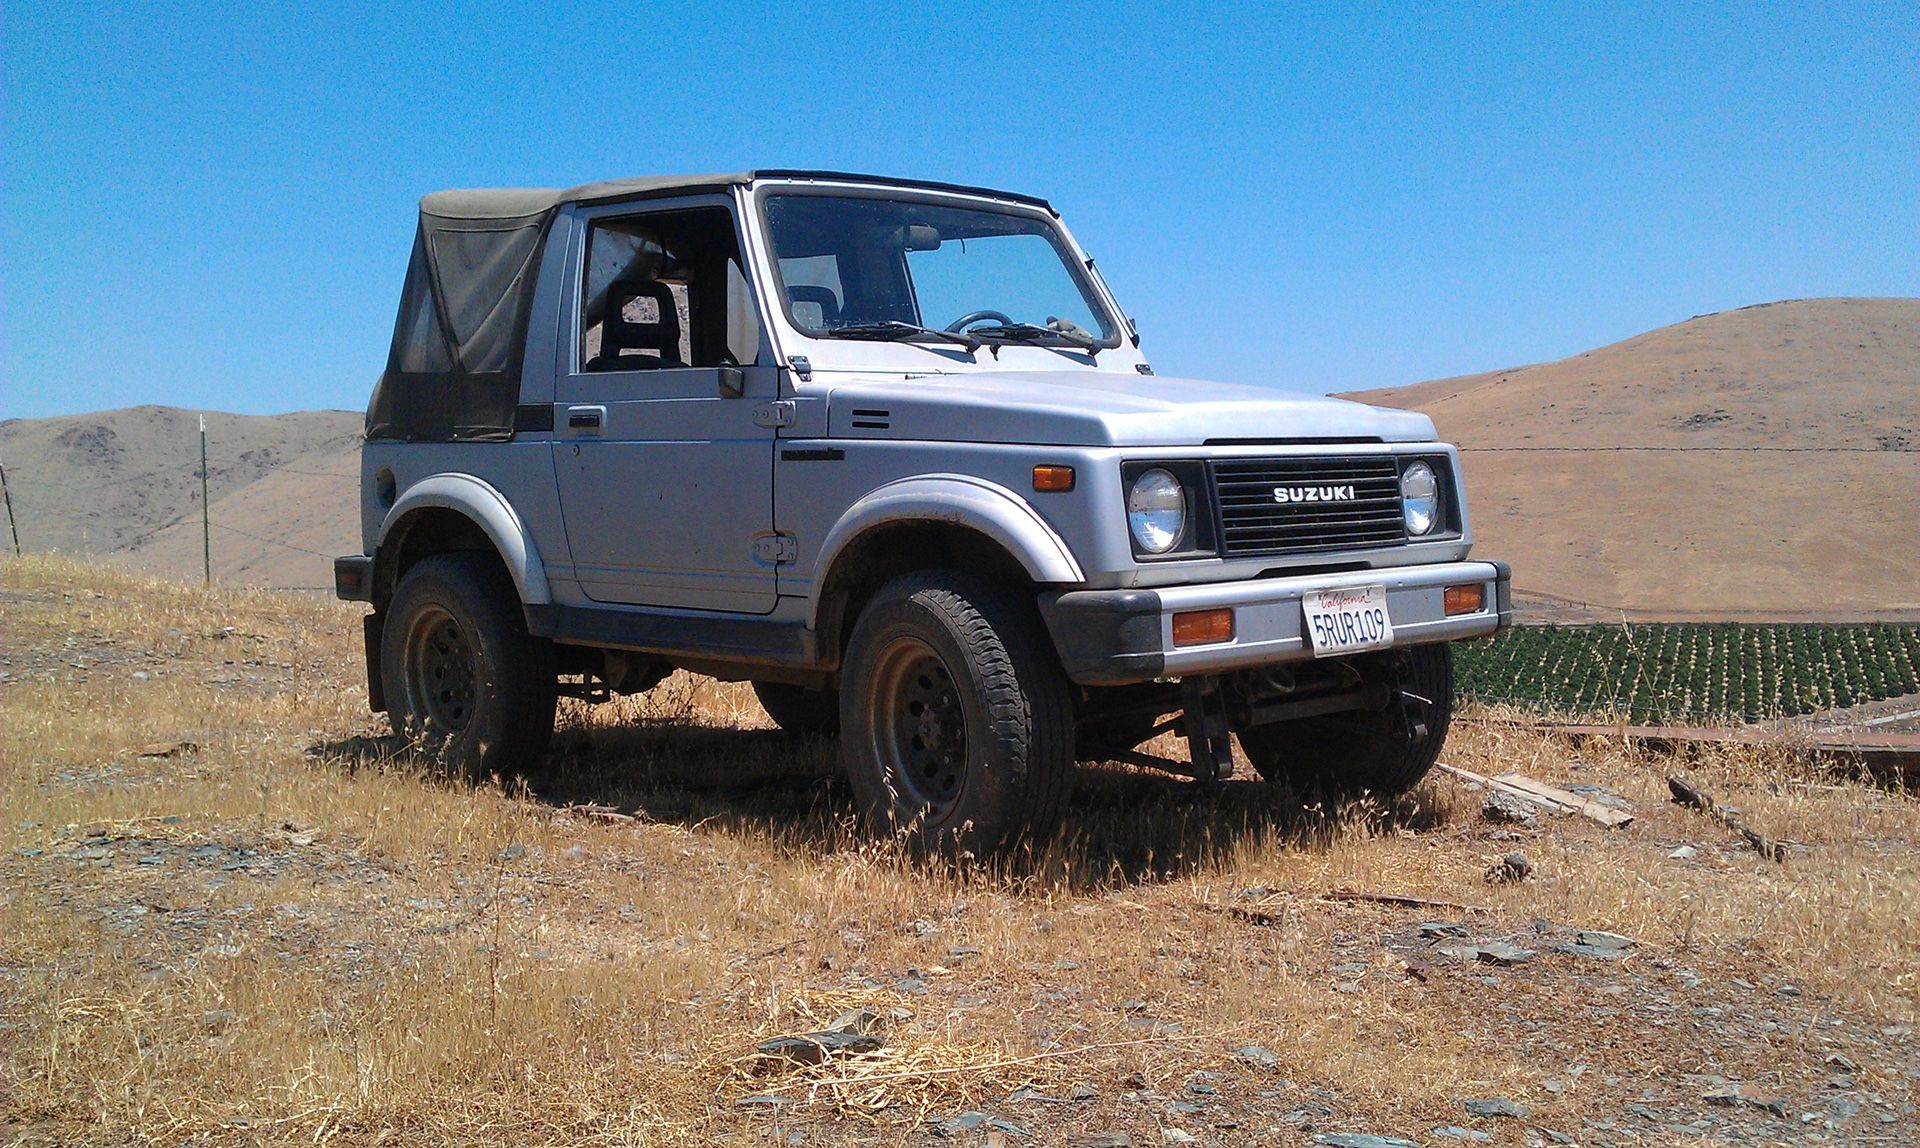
<point x="1103" y="410"/>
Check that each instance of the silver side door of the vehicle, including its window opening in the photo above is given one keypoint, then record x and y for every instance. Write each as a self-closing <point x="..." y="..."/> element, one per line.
<point x="665" y="471"/>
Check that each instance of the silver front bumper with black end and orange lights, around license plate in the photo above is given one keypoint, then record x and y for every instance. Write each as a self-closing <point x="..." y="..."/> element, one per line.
<point x="1120" y="636"/>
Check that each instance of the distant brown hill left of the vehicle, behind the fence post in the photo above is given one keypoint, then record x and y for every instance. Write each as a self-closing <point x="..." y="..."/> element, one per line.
<point x="128" y="485"/>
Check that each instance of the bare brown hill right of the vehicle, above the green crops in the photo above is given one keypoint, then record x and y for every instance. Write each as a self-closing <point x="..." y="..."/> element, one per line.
<point x="1750" y="464"/>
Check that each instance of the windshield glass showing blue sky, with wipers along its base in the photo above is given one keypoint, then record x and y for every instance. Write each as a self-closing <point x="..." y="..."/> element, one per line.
<point x="865" y="268"/>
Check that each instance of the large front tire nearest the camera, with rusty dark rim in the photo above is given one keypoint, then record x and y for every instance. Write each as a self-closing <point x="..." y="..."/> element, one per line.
<point x="992" y="681"/>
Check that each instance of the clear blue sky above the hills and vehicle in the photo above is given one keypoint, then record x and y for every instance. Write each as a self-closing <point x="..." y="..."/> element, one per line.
<point x="210" y="206"/>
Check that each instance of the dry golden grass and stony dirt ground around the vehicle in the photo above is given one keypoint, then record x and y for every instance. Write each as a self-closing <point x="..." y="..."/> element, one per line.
<point x="235" y="917"/>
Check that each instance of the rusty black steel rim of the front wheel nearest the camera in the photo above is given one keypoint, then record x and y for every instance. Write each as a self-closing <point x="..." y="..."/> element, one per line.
<point x="919" y="729"/>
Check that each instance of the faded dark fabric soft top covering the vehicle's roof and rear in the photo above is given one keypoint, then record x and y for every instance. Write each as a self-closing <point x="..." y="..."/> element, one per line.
<point x="454" y="368"/>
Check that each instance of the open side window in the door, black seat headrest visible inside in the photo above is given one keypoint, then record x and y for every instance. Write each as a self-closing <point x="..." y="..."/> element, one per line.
<point x="665" y="291"/>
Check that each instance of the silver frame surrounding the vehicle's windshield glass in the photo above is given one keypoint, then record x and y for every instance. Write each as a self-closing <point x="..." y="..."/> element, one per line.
<point x="1074" y="262"/>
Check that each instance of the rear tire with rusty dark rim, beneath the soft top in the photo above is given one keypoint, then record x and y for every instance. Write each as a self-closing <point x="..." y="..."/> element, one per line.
<point x="466" y="682"/>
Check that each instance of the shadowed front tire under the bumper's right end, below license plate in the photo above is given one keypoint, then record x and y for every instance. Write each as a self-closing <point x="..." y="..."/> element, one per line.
<point x="1364" y="753"/>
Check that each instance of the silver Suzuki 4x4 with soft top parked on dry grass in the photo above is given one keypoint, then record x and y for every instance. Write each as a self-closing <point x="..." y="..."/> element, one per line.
<point x="890" y="452"/>
